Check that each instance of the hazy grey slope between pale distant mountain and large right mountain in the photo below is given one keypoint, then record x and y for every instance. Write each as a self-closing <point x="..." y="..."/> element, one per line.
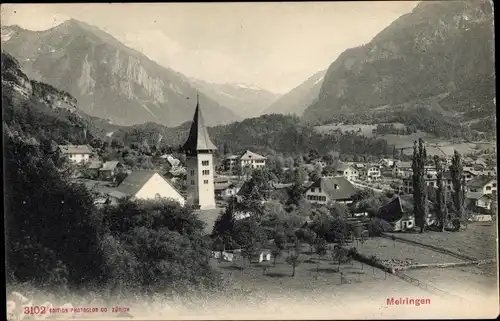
<point x="298" y="99"/>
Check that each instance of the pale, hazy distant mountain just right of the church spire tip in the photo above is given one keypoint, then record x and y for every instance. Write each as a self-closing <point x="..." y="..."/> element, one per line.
<point x="245" y="100"/>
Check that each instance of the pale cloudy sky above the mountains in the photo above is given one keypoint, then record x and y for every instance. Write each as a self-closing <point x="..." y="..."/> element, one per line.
<point x="275" y="45"/>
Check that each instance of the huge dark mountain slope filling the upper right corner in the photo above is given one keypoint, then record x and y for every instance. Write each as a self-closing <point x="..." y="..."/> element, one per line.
<point x="438" y="49"/>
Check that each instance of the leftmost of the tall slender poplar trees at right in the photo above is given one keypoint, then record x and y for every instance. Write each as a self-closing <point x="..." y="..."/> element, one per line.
<point x="419" y="186"/>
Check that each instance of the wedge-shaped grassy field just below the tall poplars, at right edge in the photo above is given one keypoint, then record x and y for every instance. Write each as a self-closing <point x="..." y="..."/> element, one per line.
<point x="479" y="240"/>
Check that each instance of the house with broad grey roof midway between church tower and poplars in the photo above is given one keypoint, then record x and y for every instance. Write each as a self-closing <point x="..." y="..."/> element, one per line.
<point x="330" y="189"/>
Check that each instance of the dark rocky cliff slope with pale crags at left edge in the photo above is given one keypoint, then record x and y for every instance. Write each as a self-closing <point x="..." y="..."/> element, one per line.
<point x="40" y="110"/>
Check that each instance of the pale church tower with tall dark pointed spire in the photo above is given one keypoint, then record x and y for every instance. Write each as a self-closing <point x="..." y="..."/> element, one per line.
<point x="199" y="163"/>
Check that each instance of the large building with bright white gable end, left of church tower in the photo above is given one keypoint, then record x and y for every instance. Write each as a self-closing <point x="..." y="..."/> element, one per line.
<point x="147" y="185"/>
